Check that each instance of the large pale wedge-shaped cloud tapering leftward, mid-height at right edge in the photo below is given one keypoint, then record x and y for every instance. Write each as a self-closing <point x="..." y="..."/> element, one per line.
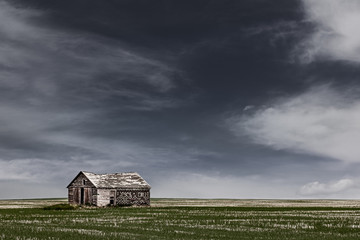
<point x="322" y="121"/>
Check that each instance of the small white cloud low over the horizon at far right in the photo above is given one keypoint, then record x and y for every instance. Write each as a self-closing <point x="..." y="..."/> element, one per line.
<point x="317" y="188"/>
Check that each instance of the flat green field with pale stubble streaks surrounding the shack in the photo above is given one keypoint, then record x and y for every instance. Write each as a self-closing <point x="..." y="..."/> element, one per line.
<point x="184" y="219"/>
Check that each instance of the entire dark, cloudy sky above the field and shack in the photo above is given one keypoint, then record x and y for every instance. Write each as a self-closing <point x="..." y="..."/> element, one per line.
<point x="203" y="98"/>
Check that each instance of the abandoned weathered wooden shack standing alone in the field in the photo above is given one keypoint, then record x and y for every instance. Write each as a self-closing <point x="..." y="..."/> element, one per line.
<point x="116" y="189"/>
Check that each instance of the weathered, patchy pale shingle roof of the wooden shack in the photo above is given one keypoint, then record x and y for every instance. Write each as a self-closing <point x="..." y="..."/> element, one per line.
<point x="116" y="180"/>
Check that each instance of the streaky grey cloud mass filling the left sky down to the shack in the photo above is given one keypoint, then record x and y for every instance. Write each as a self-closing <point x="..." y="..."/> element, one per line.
<point x="57" y="86"/>
